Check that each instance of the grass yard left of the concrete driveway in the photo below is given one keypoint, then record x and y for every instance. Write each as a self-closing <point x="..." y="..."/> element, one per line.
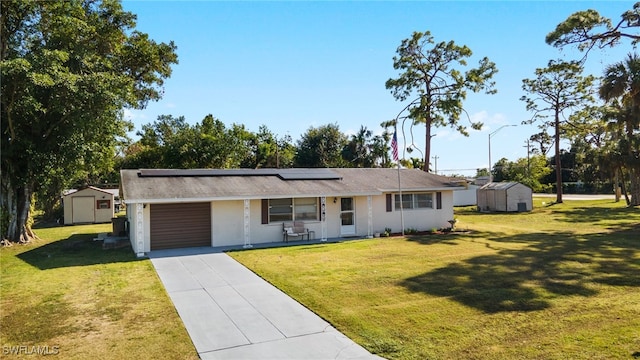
<point x="64" y="295"/>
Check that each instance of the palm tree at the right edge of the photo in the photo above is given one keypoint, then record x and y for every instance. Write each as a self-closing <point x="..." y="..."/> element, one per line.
<point x="620" y="87"/>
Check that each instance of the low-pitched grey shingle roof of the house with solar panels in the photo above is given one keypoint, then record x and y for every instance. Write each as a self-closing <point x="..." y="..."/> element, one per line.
<point x="167" y="185"/>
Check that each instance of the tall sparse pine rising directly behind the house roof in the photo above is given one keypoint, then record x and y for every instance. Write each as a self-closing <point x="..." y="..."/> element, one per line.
<point x="435" y="83"/>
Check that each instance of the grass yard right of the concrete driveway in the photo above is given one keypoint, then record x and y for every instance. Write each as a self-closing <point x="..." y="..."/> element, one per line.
<point x="561" y="282"/>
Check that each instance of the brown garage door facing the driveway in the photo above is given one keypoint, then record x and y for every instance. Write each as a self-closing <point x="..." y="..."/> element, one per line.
<point x="180" y="225"/>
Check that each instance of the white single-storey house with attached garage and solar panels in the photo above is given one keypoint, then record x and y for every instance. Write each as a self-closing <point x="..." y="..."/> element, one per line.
<point x="209" y="207"/>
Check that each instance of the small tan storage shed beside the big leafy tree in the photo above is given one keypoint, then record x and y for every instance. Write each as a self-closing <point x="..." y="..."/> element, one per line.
<point x="88" y="205"/>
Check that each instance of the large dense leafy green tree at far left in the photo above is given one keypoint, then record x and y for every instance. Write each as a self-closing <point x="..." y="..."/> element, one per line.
<point x="68" y="69"/>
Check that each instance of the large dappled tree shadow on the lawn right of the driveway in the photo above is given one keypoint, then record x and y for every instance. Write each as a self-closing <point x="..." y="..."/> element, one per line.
<point x="527" y="279"/>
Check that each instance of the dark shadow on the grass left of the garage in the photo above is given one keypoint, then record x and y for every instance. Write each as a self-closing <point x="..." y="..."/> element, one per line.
<point x="76" y="250"/>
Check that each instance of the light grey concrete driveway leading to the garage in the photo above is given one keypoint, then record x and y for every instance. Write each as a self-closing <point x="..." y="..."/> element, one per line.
<point x="231" y="313"/>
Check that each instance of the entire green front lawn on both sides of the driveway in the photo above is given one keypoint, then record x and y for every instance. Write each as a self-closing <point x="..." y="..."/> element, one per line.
<point x="560" y="282"/>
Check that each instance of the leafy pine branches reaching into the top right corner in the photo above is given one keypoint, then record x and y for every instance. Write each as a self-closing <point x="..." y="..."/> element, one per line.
<point x="588" y="29"/>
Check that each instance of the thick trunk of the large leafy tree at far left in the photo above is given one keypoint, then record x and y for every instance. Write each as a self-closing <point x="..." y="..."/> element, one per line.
<point x="16" y="211"/>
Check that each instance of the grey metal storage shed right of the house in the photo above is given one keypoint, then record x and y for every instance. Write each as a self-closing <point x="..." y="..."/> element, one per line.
<point x="505" y="196"/>
